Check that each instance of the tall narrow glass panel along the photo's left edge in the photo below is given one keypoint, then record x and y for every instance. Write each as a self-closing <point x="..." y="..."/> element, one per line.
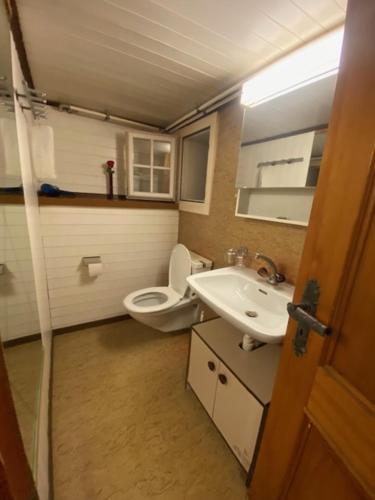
<point x="19" y="321"/>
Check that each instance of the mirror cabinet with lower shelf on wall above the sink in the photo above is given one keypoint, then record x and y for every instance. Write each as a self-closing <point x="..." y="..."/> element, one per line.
<point x="282" y="145"/>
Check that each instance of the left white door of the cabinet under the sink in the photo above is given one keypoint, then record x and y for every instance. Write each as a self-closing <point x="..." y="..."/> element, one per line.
<point x="203" y="369"/>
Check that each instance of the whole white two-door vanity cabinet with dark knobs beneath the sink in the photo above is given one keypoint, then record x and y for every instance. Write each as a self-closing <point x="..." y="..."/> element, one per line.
<point x="233" y="386"/>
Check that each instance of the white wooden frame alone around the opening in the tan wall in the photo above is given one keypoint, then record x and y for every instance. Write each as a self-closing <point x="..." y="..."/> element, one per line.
<point x="208" y="122"/>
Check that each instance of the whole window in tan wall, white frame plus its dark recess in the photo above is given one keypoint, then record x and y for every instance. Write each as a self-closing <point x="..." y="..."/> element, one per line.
<point x="198" y="152"/>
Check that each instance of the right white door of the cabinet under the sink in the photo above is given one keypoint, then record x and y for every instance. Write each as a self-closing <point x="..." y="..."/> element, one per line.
<point x="237" y="415"/>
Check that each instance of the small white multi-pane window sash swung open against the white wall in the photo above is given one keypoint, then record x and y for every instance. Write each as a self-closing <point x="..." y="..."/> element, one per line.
<point x="150" y="166"/>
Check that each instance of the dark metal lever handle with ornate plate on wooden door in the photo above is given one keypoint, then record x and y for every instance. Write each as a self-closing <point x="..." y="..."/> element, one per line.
<point x="304" y="314"/>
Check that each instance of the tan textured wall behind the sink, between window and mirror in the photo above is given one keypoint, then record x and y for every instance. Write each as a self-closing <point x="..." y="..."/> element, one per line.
<point x="212" y="235"/>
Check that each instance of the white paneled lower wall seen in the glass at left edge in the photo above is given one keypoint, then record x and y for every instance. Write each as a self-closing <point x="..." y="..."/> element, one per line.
<point x="18" y="308"/>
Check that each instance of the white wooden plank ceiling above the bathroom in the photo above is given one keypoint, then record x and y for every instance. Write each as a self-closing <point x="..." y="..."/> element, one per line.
<point x="155" y="60"/>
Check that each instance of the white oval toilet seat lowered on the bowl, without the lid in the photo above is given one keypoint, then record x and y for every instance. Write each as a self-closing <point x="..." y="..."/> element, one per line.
<point x="152" y="300"/>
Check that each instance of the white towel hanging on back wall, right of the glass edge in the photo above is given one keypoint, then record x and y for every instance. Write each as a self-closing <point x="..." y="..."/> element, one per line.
<point x="43" y="151"/>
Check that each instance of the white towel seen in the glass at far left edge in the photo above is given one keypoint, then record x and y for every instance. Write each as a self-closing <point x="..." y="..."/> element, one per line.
<point x="9" y="156"/>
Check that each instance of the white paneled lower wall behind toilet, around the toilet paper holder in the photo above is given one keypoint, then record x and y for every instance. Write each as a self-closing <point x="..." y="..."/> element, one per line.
<point x="135" y="246"/>
